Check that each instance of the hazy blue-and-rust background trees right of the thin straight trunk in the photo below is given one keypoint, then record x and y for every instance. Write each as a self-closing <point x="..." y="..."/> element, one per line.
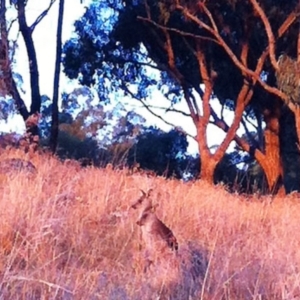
<point x="89" y="132"/>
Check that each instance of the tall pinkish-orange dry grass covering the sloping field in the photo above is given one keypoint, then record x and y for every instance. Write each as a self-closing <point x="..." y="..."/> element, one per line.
<point x="68" y="233"/>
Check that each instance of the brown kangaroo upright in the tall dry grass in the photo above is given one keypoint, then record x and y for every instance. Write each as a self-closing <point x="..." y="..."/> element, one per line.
<point x="156" y="235"/>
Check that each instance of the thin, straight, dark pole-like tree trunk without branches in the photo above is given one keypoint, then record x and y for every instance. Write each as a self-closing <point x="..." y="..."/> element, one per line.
<point x="54" y="123"/>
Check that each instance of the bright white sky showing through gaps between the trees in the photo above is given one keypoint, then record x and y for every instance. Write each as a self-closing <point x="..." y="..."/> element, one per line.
<point x="45" y="42"/>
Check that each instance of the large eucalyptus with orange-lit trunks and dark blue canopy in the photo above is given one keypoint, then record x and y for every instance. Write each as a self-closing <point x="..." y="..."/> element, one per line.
<point x="225" y="50"/>
